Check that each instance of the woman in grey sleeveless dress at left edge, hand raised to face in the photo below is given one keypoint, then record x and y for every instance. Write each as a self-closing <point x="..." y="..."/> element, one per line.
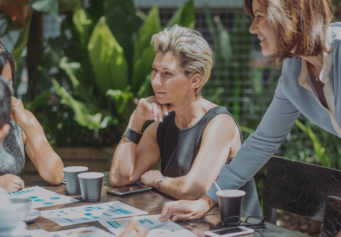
<point x="25" y="134"/>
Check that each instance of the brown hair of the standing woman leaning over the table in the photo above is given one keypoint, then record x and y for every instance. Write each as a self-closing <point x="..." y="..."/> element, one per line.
<point x="300" y="25"/>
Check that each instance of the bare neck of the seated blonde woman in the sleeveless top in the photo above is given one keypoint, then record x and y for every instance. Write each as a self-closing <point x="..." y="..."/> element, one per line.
<point x="188" y="111"/>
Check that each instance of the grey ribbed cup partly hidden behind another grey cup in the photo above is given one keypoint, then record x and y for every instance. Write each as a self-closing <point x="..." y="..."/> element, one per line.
<point x="71" y="178"/>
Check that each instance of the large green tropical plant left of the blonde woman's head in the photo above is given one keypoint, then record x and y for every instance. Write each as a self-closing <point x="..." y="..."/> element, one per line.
<point x="99" y="67"/>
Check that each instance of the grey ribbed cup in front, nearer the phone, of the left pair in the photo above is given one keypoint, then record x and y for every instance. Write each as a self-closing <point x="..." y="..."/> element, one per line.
<point x="91" y="186"/>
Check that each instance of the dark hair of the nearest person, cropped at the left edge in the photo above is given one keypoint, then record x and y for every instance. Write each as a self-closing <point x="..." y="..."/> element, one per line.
<point x="5" y="101"/>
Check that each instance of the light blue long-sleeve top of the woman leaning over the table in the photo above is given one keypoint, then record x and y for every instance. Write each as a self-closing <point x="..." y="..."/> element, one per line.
<point x="295" y="94"/>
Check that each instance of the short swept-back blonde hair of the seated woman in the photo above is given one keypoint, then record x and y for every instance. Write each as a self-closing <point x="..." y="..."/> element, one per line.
<point x="192" y="49"/>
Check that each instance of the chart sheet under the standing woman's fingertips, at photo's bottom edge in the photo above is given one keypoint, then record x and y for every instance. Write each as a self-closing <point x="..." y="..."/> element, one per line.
<point x="151" y="223"/>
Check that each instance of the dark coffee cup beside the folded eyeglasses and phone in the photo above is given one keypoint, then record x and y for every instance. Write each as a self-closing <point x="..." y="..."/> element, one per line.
<point x="230" y="205"/>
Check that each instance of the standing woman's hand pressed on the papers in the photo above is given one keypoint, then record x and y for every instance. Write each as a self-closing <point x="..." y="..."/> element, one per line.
<point x="183" y="210"/>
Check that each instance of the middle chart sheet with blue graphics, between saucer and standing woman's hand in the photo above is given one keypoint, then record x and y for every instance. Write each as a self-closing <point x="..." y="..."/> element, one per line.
<point x="89" y="213"/>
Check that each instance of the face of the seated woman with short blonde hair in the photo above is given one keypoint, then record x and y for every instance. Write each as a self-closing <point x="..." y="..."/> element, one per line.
<point x="168" y="79"/>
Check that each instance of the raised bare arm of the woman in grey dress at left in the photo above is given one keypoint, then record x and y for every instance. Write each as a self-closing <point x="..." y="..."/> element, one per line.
<point x="47" y="162"/>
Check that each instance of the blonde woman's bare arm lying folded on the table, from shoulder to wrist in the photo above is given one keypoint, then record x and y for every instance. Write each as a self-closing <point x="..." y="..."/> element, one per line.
<point x="219" y="137"/>
